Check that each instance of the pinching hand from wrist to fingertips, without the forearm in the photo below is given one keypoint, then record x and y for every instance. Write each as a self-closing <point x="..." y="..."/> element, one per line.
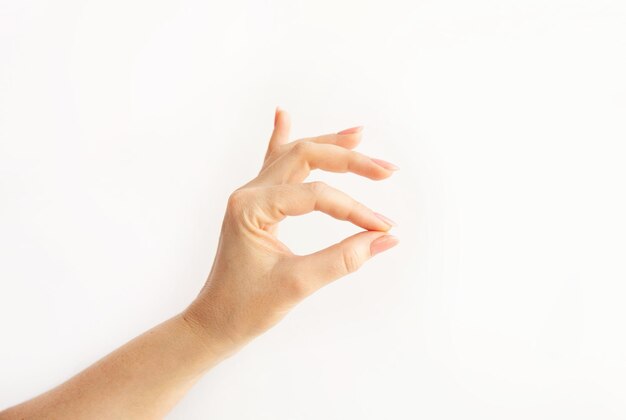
<point x="256" y="279"/>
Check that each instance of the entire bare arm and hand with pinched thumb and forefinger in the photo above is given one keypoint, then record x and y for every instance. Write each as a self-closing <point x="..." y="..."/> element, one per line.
<point x="255" y="281"/>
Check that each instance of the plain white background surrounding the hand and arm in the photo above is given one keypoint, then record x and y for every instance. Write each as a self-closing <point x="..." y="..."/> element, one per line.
<point x="125" y="125"/>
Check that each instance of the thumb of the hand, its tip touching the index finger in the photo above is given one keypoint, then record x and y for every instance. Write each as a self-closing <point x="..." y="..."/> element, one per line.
<point x="344" y="257"/>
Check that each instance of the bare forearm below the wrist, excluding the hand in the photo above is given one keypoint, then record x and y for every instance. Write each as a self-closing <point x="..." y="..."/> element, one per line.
<point x="143" y="379"/>
